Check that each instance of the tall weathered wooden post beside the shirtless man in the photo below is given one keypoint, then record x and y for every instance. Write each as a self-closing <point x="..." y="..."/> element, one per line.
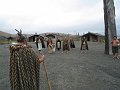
<point x="110" y="25"/>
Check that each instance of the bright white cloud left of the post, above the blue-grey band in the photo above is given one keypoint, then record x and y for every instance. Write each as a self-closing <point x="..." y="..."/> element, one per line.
<point x="47" y="14"/>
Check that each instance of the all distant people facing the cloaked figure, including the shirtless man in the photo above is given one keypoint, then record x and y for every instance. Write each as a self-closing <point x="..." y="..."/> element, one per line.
<point x="66" y="44"/>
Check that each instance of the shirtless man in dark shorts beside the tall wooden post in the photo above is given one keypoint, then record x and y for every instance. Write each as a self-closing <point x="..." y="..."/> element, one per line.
<point x="115" y="44"/>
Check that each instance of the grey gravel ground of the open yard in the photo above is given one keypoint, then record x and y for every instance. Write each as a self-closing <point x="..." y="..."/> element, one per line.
<point x="92" y="70"/>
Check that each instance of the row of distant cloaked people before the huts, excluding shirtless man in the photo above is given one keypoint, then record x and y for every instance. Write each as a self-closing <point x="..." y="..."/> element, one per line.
<point x="57" y="44"/>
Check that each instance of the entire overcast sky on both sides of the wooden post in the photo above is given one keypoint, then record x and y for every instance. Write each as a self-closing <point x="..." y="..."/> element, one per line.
<point x="64" y="16"/>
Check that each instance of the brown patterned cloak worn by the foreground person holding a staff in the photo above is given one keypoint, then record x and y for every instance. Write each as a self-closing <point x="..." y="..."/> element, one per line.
<point x="24" y="68"/>
